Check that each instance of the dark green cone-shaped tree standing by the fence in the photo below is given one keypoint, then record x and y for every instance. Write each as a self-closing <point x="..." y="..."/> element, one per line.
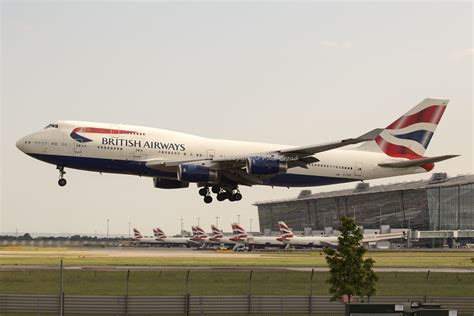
<point x="350" y="274"/>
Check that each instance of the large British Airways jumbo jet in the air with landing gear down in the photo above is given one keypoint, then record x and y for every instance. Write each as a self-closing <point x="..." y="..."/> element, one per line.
<point x="174" y="160"/>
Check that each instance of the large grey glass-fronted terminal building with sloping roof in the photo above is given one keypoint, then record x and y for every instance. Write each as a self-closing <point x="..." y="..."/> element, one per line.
<point x="440" y="203"/>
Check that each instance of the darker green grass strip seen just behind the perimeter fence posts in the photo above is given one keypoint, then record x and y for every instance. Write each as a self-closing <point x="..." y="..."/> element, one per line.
<point x="224" y="283"/>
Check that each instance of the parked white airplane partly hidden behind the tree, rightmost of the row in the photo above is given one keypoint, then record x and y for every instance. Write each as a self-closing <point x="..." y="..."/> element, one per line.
<point x="288" y="238"/>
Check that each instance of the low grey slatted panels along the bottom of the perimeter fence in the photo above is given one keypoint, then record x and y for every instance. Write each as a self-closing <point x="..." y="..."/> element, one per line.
<point x="202" y="305"/>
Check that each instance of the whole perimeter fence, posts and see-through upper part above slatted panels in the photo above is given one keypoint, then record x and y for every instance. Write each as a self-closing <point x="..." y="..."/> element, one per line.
<point x="171" y="291"/>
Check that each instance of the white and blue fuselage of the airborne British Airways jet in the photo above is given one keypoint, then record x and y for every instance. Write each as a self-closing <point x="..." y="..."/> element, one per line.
<point x="126" y="149"/>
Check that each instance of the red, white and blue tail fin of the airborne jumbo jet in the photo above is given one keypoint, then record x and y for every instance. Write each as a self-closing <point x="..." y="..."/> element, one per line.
<point x="410" y="135"/>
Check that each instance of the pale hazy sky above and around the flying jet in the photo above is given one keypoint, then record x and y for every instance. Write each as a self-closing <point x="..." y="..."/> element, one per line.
<point x="290" y="73"/>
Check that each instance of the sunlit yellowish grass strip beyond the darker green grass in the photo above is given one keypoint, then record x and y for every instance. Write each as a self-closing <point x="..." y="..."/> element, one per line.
<point x="302" y="259"/>
